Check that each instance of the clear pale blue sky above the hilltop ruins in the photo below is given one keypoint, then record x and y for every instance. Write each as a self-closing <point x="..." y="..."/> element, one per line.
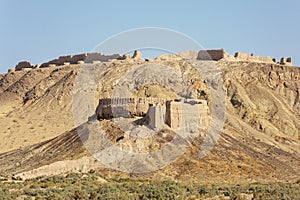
<point x="38" y="31"/>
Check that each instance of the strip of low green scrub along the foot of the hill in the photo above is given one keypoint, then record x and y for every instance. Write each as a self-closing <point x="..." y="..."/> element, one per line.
<point x="91" y="186"/>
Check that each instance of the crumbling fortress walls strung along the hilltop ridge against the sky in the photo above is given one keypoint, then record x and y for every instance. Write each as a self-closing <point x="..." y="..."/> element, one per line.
<point x="215" y="54"/>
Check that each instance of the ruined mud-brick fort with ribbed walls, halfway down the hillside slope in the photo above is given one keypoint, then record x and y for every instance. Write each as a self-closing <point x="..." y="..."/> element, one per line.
<point x="157" y="112"/>
